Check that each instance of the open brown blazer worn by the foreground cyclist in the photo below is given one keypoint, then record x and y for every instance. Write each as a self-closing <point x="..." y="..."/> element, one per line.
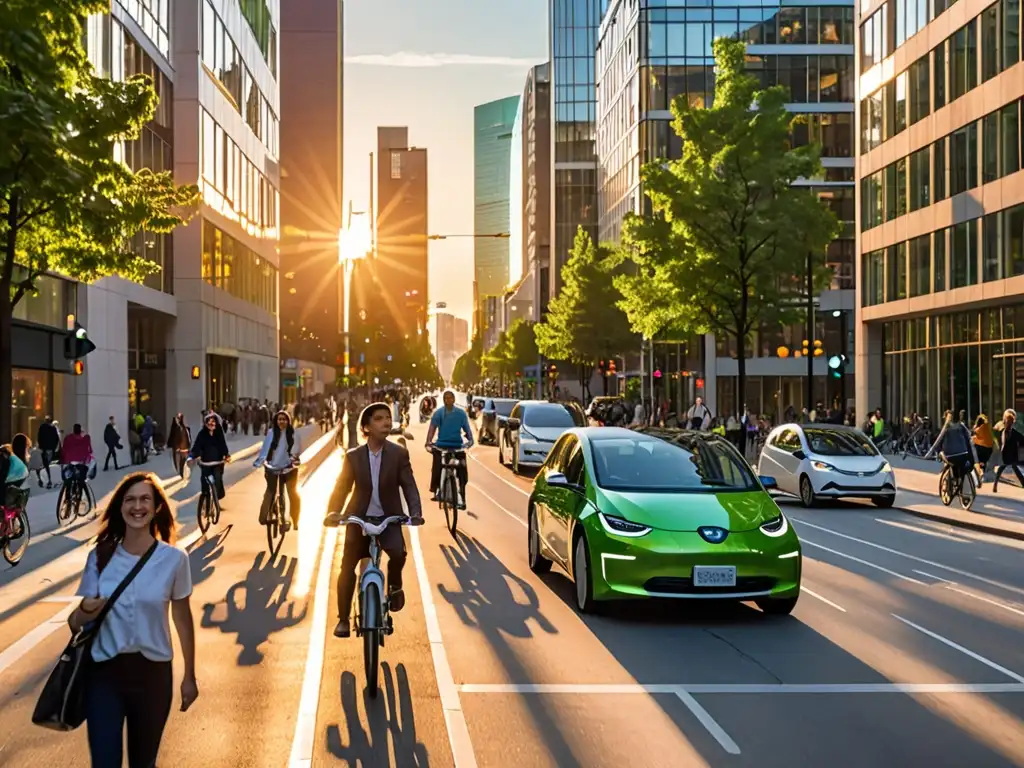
<point x="356" y="481"/>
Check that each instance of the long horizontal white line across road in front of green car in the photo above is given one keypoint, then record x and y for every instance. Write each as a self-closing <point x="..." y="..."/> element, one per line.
<point x="738" y="689"/>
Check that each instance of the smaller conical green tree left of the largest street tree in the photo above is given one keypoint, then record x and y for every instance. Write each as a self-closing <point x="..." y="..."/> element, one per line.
<point x="585" y="323"/>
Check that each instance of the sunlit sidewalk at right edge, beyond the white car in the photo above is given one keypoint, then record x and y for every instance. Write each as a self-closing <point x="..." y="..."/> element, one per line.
<point x="999" y="515"/>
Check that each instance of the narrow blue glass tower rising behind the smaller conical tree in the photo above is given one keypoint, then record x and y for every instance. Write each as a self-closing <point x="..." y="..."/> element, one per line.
<point x="574" y="26"/>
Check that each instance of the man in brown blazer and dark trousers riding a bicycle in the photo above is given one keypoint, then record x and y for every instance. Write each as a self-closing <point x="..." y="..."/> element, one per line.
<point x="373" y="476"/>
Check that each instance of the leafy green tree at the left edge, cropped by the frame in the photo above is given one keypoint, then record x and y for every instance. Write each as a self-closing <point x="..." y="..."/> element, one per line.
<point x="67" y="205"/>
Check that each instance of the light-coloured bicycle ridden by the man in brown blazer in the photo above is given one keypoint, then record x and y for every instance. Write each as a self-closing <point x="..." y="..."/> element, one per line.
<point x="373" y="622"/>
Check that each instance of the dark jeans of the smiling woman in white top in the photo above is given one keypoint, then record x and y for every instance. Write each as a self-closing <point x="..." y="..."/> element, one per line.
<point x="130" y="688"/>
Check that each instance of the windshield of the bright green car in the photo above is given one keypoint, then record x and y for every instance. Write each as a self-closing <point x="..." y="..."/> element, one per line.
<point x="686" y="464"/>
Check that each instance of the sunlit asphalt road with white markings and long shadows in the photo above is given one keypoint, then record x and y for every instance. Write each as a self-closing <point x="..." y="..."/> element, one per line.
<point x="904" y="651"/>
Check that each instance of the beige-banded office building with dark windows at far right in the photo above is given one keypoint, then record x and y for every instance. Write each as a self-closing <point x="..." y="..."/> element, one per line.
<point x="942" y="209"/>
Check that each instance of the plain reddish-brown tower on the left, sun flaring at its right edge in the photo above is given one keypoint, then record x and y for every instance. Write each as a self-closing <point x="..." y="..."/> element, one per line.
<point x="312" y="207"/>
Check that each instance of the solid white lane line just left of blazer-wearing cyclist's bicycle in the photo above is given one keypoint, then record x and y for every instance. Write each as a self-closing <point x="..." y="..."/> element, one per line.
<point x="306" y="726"/>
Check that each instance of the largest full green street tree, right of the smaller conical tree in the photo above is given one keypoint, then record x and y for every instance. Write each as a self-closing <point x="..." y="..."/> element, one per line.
<point x="727" y="248"/>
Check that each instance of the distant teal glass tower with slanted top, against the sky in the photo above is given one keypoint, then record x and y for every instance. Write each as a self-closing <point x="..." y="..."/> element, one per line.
<point x="493" y="124"/>
